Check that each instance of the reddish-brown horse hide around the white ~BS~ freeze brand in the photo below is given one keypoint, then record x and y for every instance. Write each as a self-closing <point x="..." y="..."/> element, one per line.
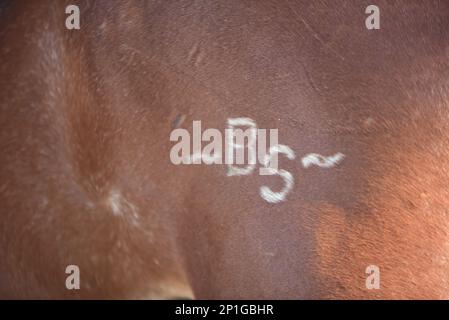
<point x="86" y="178"/>
